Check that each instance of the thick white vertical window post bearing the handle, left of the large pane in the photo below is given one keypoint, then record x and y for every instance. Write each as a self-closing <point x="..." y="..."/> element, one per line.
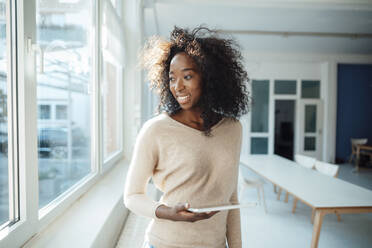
<point x="27" y="113"/>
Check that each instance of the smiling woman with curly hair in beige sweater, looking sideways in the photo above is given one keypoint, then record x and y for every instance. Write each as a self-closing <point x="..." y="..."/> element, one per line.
<point x="191" y="150"/>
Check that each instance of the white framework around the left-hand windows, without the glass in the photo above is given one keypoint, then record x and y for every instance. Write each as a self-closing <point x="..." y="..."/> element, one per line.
<point x="32" y="219"/>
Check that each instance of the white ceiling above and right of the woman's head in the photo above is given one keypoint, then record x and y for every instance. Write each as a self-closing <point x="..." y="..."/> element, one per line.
<point x="314" y="16"/>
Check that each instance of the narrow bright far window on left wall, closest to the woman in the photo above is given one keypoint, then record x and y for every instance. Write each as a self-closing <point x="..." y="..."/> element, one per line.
<point x="111" y="80"/>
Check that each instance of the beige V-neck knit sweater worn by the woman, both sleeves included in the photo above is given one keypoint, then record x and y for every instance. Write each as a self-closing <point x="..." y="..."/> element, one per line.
<point x="187" y="167"/>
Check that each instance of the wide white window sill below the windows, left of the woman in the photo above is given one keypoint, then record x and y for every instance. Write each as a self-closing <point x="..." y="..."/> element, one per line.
<point x="94" y="220"/>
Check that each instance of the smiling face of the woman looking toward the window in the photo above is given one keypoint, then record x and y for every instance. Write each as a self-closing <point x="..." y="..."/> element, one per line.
<point x="185" y="81"/>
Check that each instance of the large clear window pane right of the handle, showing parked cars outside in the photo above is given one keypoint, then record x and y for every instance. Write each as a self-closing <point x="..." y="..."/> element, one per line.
<point x="64" y="74"/>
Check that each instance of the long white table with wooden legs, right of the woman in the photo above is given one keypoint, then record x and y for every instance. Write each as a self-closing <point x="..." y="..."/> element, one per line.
<point x="323" y="193"/>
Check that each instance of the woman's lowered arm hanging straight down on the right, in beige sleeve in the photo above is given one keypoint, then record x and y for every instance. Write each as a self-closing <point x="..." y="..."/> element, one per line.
<point x="233" y="233"/>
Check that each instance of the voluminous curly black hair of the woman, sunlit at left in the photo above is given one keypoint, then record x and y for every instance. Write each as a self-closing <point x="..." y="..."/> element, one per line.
<point x="224" y="91"/>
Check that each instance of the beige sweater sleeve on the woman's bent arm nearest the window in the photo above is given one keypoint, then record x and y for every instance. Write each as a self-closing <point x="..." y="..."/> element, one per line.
<point x="142" y="165"/>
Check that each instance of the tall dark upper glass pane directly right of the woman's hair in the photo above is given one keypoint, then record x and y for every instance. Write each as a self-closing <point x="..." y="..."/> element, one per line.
<point x="260" y="106"/>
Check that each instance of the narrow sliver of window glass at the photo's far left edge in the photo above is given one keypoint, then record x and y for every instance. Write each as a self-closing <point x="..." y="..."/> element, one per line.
<point x="4" y="186"/>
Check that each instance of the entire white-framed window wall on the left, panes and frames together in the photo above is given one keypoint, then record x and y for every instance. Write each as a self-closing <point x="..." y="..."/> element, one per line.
<point x="62" y="119"/>
